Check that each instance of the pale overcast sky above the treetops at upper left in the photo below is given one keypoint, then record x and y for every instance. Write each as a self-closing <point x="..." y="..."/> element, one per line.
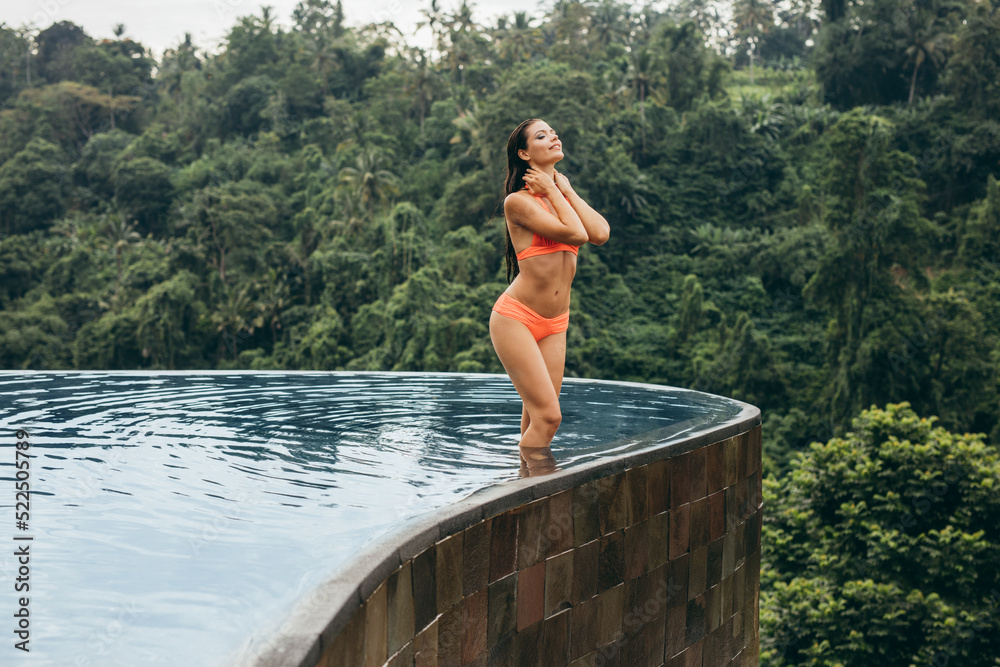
<point x="161" y="25"/>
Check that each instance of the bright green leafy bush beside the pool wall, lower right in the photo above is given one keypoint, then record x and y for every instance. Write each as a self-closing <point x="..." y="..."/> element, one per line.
<point x="879" y="549"/>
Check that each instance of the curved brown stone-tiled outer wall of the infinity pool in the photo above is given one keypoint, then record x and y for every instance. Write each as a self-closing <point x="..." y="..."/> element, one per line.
<point x="656" y="564"/>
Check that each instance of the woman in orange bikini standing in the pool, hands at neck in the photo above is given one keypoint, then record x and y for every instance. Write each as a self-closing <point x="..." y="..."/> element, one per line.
<point x="546" y="223"/>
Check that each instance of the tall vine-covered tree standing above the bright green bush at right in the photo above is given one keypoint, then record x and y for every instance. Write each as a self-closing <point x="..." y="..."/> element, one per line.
<point x="872" y="211"/>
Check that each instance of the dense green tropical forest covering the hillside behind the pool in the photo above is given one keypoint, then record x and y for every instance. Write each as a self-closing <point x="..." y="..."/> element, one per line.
<point x="803" y="198"/>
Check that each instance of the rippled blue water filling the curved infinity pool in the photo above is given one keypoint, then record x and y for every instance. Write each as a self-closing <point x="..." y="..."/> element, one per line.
<point x="174" y="515"/>
